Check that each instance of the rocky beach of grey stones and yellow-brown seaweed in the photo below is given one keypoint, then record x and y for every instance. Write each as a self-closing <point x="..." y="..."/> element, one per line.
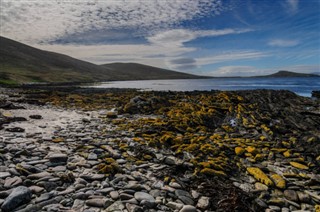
<point x="90" y="150"/>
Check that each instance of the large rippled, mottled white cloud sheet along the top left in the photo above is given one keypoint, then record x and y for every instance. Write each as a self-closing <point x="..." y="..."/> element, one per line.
<point x="36" y="21"/>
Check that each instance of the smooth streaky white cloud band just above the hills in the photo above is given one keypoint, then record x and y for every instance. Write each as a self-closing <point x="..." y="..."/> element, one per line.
<point x="168" y="46"/>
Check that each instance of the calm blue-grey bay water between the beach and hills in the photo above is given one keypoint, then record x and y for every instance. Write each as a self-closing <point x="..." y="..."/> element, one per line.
<point x="300" y="85"/>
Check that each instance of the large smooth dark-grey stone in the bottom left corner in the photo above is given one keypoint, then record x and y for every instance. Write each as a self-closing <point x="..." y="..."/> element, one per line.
<point x="18" y="196"/>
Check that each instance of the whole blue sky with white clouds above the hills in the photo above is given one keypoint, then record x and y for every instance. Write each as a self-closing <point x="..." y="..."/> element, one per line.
<point x="204" y="37"/>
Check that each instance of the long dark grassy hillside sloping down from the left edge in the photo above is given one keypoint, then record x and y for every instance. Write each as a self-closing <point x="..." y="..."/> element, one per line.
<point x="20" y="63"/>
